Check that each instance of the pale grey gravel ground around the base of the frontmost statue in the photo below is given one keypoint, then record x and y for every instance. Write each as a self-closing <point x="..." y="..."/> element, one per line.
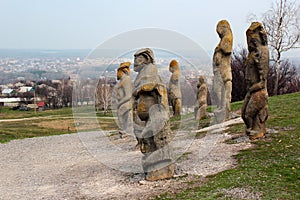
<point x="84" y="166"/>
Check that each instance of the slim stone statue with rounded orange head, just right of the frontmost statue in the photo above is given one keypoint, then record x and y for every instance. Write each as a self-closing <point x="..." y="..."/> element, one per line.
<point x="174" y="87"/>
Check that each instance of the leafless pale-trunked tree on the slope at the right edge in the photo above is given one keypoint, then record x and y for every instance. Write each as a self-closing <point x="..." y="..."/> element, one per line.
<point x="281" y="23"/>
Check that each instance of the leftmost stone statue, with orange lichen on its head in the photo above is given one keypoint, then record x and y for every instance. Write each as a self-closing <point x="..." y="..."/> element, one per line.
<point x="124" y="99"/>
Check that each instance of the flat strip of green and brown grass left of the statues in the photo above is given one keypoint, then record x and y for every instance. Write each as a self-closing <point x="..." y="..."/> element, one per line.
<point x="60" y="120"/>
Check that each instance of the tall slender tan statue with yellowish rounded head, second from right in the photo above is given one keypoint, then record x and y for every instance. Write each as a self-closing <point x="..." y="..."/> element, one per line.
<point x="222" y="80"/>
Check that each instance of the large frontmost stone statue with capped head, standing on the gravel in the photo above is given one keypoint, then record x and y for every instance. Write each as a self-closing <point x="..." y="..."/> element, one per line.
<point x="151" y="117"/>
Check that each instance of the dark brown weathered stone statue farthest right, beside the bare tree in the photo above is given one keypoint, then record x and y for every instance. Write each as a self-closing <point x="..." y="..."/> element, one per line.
<point x="255" y="107"/>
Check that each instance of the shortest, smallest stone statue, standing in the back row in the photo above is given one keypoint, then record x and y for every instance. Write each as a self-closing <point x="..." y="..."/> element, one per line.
<point x="201" y="98"/>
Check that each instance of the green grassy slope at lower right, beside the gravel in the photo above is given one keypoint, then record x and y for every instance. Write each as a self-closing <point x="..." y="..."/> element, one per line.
<point x="270" y="170"/>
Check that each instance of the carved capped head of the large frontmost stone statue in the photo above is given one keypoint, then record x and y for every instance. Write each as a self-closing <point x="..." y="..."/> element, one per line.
<point x="143" y="57"/>
